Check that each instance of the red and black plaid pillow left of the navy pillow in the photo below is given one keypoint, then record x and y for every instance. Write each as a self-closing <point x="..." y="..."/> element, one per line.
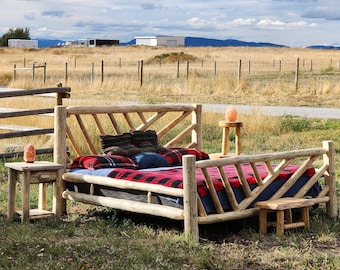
<point x="93" y="162"/>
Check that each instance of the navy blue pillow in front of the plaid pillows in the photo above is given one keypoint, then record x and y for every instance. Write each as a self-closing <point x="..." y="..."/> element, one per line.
<point x="149" y="160"/>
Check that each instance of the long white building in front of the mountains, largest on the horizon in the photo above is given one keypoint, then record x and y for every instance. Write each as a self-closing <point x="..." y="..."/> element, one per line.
<point x="167" y="41"/>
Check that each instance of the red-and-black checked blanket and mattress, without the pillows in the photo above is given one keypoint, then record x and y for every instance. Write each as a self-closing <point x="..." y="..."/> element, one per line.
<point x="173" y="177"/>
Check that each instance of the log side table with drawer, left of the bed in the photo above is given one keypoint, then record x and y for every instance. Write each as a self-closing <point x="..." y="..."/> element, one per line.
<point x="34" y="173"/>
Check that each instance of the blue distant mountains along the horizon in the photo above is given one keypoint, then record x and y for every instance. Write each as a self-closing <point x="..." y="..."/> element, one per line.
<point x="194" y="42"/>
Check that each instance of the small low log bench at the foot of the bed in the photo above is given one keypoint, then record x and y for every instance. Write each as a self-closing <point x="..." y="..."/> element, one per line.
<point x="284" y="206"/>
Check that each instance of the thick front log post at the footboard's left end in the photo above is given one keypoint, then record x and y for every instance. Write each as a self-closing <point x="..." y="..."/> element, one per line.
<point x="190" y="198"/>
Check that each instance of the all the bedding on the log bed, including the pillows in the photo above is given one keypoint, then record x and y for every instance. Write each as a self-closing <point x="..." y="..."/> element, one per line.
<point x="138" y="157"/>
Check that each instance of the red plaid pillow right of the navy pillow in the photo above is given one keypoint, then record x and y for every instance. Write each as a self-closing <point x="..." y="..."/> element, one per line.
<point x="174" y="155"/>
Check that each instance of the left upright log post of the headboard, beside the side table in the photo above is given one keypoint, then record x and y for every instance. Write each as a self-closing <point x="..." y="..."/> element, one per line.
<point x="60" y="152"/>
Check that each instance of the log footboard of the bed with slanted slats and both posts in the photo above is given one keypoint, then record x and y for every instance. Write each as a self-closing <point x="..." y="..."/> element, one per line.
<point x="306" y="158"/>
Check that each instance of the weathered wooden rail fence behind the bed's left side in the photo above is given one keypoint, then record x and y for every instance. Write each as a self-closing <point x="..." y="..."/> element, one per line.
<point x="7" y="115"/>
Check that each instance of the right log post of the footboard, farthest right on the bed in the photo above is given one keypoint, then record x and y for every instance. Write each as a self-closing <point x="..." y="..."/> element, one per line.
<point x="330" y="180"/>
